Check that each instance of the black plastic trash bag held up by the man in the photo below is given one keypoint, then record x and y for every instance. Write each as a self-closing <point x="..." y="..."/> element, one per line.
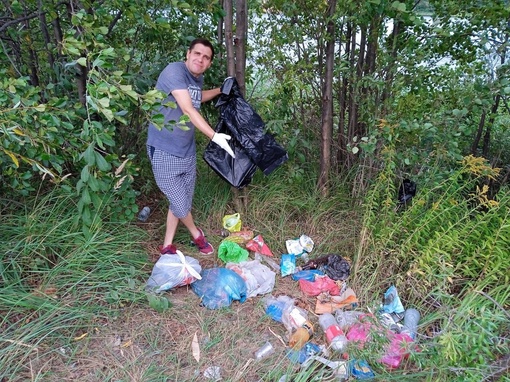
<point x="245" y="126"/>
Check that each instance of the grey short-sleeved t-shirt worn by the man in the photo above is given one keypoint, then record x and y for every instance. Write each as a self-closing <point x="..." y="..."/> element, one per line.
<point x="176" y="141"/>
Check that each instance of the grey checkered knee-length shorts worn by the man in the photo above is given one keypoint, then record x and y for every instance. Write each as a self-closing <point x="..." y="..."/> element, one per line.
<point x="176" y="178"/>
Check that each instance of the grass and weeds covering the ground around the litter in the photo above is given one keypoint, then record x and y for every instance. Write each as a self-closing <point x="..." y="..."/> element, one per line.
<point x="65" y="292"/>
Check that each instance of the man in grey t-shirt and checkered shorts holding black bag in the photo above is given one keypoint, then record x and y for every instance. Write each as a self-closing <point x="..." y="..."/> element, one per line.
<point x="173" y="152"/>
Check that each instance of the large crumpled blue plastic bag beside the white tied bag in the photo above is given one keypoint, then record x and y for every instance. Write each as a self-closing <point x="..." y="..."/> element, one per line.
<point x="219" y="287"/>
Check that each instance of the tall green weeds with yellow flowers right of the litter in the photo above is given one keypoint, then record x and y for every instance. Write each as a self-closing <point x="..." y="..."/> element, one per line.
<point x="448" y="254"/>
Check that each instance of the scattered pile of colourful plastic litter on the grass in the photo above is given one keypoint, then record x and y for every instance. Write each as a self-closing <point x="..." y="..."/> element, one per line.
<point x="343" y="325"/>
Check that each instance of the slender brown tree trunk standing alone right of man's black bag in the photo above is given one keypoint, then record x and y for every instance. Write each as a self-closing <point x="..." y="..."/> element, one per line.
<point x="327" y="103"/>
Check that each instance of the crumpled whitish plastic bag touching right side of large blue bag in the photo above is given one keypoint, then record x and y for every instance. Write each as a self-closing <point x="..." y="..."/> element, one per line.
<point x="258" y="277"/>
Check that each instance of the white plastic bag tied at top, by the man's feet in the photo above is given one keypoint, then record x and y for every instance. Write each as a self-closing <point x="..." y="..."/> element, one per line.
<point x="172" y="271"/>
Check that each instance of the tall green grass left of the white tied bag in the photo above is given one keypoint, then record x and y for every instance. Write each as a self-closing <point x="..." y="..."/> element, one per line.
<point x="57" y="283"/>
